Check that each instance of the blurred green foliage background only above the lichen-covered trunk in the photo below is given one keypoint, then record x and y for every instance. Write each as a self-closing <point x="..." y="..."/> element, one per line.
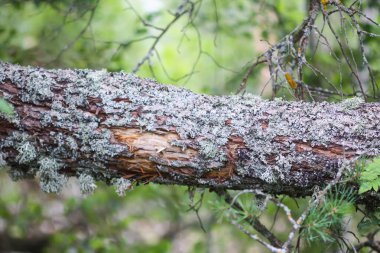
<point x="210" y="54"/>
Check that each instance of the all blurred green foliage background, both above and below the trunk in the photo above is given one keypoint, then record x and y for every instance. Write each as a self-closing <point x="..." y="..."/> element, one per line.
<point x="210" y="54"/>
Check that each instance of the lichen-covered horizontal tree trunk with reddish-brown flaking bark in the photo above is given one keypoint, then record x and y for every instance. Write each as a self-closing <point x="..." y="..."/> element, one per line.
<point x="116" y="126"/>
